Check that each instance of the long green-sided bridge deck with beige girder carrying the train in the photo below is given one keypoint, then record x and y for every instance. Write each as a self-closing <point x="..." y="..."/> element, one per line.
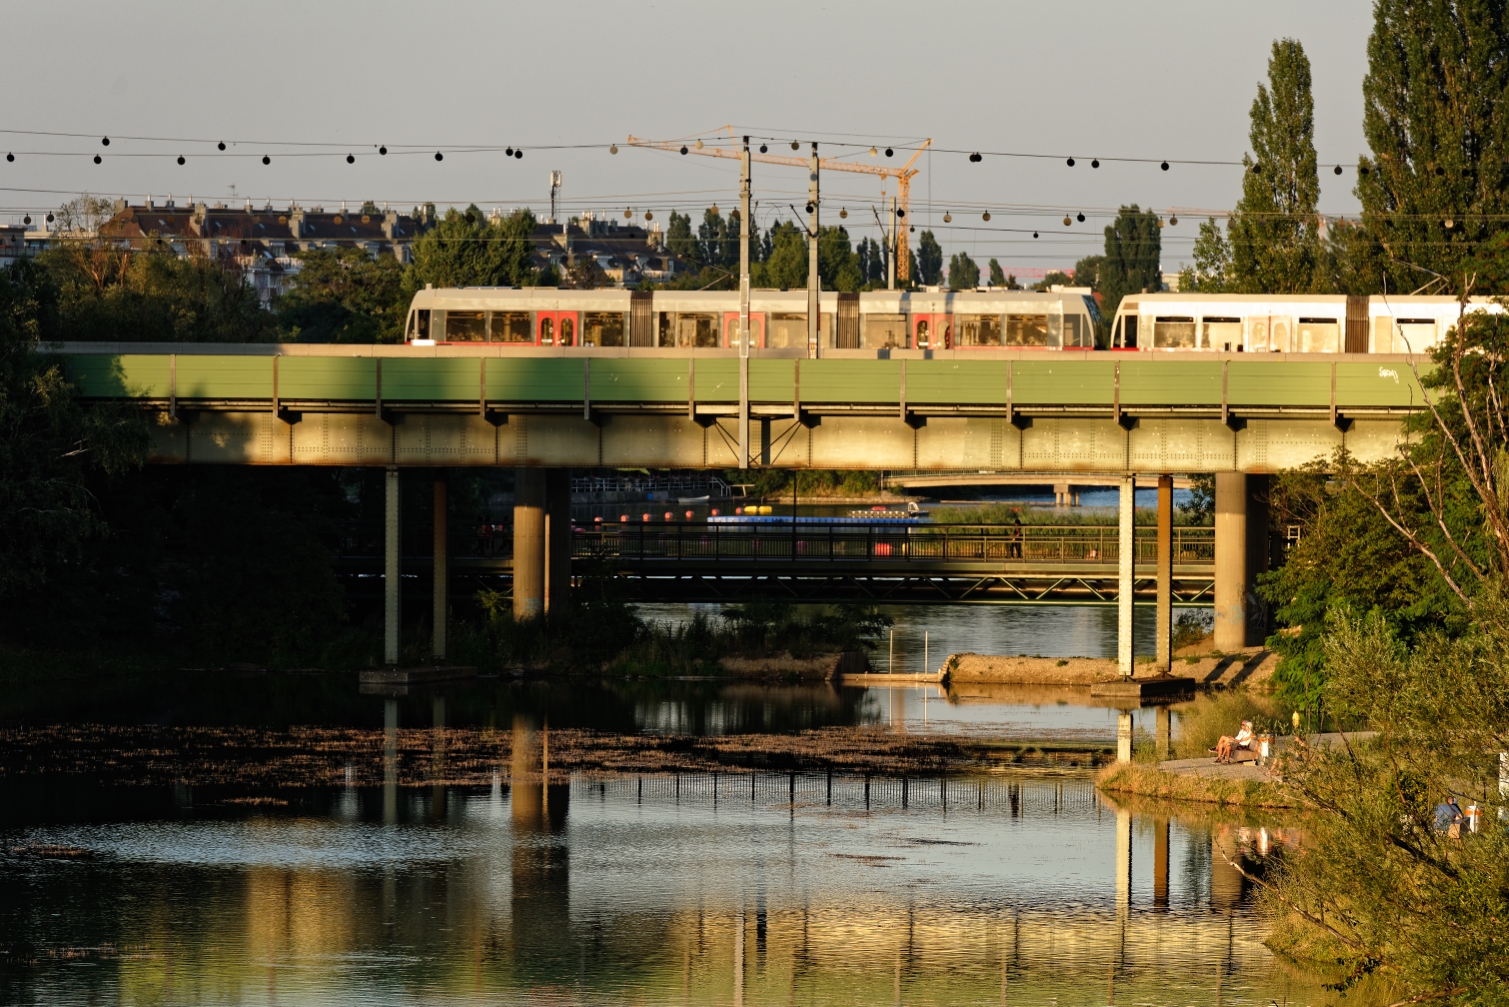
<point x="1030" y="411"/>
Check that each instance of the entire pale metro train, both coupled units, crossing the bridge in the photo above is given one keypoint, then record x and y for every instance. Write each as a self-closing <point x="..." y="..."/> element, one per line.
<point x="965" y="324"/>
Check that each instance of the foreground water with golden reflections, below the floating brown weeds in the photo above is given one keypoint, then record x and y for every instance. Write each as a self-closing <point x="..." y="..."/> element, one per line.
<point x="728" y="890"/>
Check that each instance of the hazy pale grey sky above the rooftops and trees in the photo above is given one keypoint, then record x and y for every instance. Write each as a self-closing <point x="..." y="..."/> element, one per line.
<point x="564" y="81"/>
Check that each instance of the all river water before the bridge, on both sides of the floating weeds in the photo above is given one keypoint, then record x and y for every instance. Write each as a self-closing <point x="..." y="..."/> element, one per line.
<point x="1019" y="887"/>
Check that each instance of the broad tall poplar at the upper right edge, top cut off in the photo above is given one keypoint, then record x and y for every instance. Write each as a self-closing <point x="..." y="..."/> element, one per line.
<point x="1436" y="122"/>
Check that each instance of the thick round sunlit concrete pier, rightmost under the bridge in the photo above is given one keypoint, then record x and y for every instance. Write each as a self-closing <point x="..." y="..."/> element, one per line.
<point x="1241" y="556"/>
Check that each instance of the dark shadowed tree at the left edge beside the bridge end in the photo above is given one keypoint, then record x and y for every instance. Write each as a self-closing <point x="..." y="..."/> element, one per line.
<point x="52" y="451"/>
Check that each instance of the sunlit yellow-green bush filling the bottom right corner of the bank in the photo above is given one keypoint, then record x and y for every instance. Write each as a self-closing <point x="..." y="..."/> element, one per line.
<point x="1394" y="893"/>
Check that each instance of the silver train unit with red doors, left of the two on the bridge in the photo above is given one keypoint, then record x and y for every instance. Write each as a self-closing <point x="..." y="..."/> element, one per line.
<point x="565" y="321"/>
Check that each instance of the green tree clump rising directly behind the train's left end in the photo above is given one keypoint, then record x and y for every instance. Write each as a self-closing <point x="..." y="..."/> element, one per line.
<point x="467" y="250"/>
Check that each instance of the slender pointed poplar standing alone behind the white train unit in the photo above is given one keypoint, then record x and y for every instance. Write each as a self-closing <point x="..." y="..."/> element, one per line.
<point x="1274" y="232"/>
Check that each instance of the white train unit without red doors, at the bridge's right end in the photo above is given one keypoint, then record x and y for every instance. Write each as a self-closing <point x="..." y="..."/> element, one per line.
<point x="1286" y="324"/>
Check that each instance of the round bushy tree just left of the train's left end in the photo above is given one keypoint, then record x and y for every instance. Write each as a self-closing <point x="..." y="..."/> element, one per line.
<point x="345" y="297"/>
